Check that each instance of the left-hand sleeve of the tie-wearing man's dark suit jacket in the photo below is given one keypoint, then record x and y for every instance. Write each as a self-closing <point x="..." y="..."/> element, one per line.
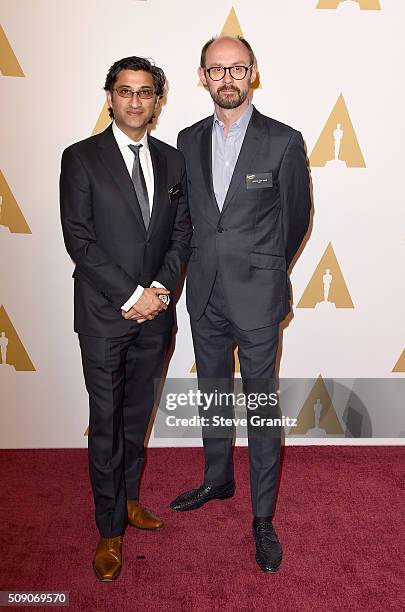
<point x="79" y="232"/>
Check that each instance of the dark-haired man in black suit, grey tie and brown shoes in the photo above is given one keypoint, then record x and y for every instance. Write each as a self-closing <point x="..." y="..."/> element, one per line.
<point x="126" y="226"/>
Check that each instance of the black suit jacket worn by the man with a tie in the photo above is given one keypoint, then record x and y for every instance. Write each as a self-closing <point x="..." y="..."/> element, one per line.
<point x="106" y="237"/>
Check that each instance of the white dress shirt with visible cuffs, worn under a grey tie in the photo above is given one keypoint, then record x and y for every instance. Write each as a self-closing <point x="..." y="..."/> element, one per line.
<point x="123" y="142"/>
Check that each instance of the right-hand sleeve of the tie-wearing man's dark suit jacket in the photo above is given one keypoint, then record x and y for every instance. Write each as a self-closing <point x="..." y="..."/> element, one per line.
<point x="179" y="250"/>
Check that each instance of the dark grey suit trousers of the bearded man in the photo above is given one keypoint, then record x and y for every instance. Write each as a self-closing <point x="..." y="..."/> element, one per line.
<point x="213" y="336"/>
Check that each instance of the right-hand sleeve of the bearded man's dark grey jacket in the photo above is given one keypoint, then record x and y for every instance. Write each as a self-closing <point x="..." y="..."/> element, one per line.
<point x="295" y="195"/>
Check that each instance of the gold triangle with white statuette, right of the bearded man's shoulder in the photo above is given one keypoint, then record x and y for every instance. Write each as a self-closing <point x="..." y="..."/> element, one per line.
<point x="338" y="141"/>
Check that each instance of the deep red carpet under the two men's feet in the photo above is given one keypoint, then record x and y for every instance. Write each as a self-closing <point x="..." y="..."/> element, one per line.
<point x="340" y="517"/>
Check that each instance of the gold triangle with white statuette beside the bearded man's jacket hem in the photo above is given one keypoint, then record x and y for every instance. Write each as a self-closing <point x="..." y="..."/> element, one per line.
<point x="327" y="288"/>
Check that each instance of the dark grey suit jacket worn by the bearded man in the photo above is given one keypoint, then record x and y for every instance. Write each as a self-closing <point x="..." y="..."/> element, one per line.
<point x="255" y="237"/>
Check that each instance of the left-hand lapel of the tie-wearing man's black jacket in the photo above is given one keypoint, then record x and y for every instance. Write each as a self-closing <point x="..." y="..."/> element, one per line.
<point x="114" y="163"/>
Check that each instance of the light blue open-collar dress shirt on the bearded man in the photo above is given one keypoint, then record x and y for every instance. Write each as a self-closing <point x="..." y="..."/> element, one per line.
<point x="225" y="152"/>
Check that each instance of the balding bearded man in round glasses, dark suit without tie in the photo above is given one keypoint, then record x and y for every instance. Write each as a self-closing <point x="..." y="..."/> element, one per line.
<point x="249" y="198"/>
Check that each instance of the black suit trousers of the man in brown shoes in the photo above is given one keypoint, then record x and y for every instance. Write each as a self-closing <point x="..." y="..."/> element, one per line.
<point x="120" y="377"/>
